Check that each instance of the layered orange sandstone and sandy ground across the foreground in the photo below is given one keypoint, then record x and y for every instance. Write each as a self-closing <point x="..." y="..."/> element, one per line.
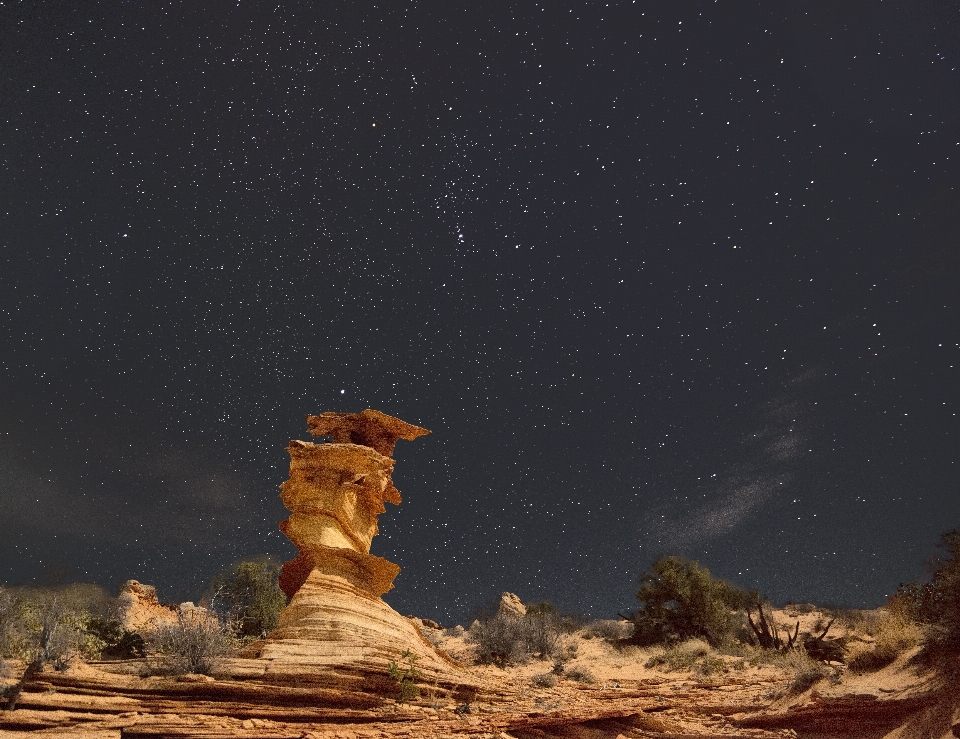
<point x="605" y="691"/>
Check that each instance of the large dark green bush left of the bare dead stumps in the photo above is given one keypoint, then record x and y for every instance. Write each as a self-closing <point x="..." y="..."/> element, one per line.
<point x="681" y="600"/>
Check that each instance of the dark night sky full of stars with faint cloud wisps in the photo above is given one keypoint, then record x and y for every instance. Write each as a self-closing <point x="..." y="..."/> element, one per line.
<point x="662" y="278"/>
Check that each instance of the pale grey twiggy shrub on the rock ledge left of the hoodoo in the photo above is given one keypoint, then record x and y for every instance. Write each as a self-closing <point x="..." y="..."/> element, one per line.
<point x="194" y="644"/>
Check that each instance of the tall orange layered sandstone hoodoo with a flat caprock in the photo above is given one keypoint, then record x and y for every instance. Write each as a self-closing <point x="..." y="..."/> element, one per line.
<point x="336" y="622"/>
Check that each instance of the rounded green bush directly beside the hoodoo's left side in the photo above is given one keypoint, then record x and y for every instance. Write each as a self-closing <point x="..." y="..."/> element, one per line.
<point x="248" y="597"/>
